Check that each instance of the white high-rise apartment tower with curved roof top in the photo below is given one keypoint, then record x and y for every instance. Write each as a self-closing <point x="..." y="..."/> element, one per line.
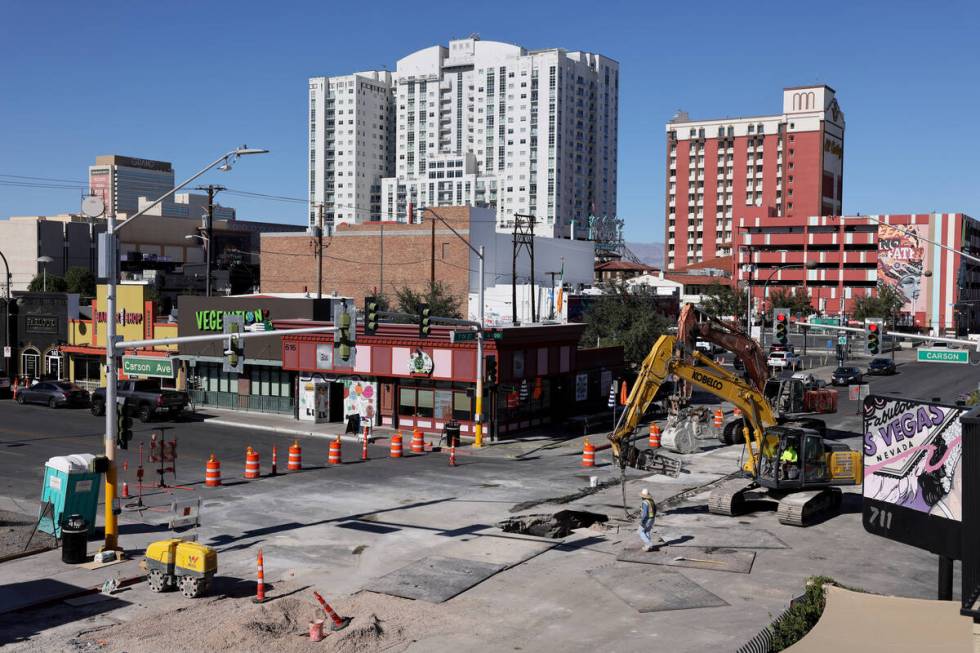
<point x="480" y="123"/>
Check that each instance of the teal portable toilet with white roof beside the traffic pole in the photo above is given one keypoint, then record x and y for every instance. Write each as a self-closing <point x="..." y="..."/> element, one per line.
<point x="71" y="486"/>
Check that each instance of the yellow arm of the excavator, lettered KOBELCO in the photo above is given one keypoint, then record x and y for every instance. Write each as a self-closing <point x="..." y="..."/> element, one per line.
<point x="663" y="361"/>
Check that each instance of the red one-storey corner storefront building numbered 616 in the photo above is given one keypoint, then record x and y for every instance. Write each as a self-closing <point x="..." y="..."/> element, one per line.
<point x="401" y="381"/>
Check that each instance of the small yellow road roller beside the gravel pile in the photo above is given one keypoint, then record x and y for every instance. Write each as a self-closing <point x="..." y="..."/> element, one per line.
<point x="174" y="563"/>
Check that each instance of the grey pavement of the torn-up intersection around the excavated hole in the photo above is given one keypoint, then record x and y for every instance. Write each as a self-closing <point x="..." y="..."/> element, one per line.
<point x="345" y="527"/>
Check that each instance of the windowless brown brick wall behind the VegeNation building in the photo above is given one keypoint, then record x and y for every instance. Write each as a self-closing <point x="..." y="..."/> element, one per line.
<point x="352" y="258"/>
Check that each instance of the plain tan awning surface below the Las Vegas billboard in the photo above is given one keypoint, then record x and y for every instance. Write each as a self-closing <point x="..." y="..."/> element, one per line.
<point x="854" y="622"/>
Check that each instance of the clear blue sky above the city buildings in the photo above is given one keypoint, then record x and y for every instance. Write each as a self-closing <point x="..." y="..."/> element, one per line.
<point x="185" y="81"/>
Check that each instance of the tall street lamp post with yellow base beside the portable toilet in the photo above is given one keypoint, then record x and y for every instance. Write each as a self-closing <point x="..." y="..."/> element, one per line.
<point x="112" y="255"/>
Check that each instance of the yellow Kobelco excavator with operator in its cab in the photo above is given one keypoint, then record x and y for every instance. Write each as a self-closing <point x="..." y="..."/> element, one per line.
<point x="789" y="462"/>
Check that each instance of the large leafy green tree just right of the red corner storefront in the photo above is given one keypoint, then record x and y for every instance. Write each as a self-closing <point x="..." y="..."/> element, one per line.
<point x="629" y="319"/>
